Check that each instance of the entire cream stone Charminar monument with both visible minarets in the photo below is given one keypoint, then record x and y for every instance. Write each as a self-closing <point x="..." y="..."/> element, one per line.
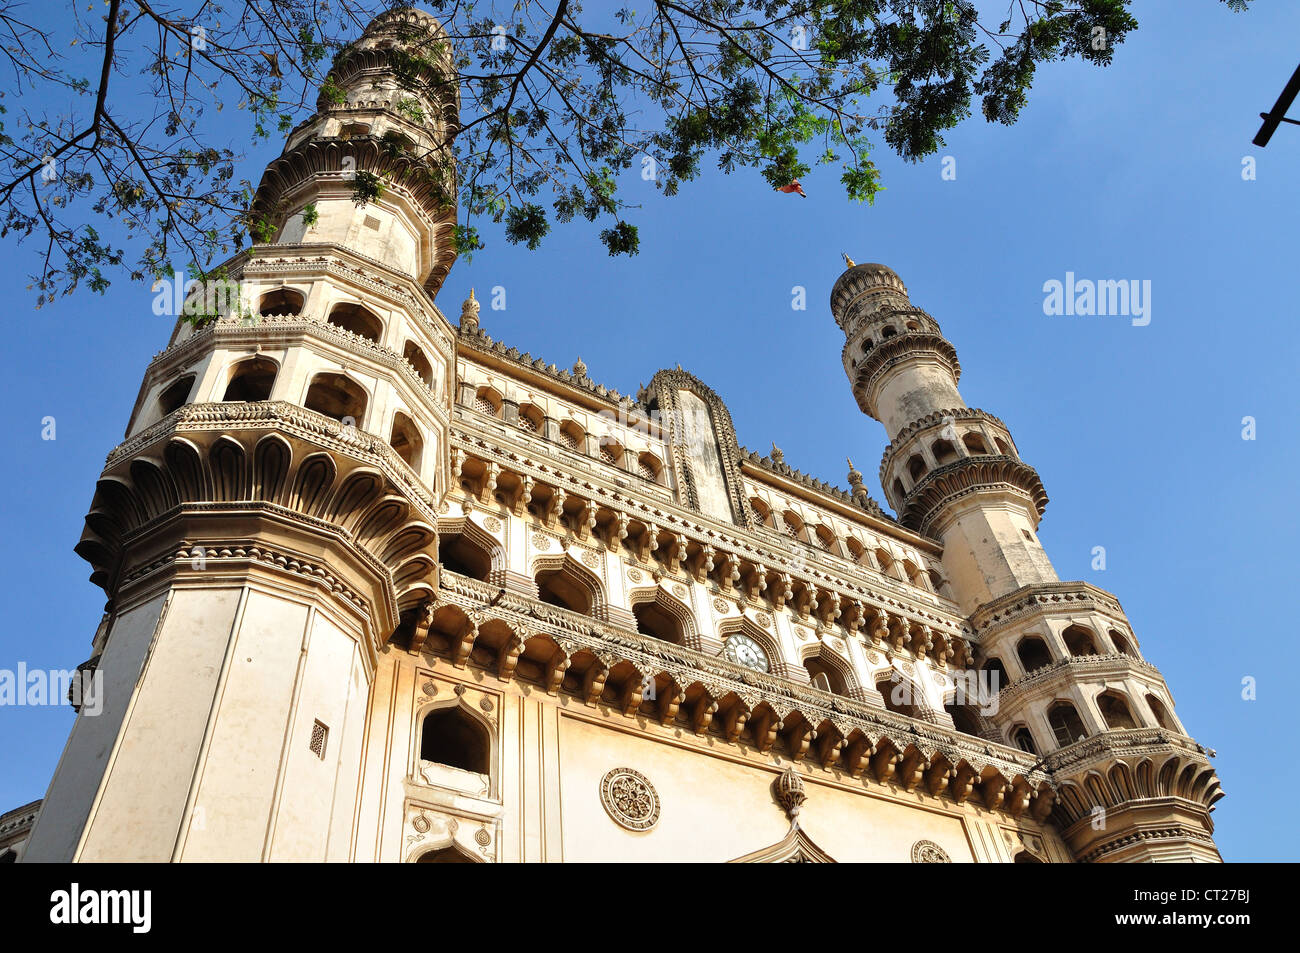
<point x="383" y="588"/>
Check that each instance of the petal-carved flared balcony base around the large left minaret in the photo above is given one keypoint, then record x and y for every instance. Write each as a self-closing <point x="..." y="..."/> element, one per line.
<point x="274" y="461"/>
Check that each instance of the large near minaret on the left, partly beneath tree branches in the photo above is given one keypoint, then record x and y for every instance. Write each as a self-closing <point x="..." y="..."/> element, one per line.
<point x="272" y="516"/>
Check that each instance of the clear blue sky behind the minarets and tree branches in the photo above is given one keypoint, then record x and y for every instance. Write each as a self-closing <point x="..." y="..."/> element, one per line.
<point x="1132" y="172"/>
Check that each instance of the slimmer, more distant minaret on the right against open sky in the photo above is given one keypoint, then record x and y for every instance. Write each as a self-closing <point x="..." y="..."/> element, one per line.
<point x="1069" y="683"/>
